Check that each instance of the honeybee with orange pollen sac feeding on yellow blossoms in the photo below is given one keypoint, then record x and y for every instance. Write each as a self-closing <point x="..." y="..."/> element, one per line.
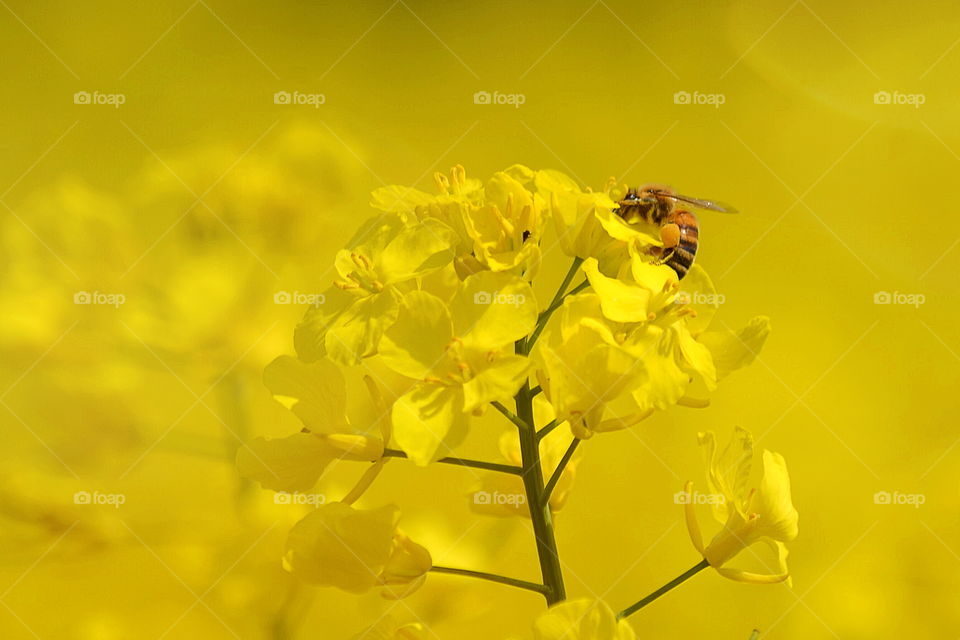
<point x="679" y="230"/>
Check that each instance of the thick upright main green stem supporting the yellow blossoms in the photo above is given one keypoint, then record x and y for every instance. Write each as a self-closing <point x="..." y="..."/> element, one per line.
<point x="540" y="513"/>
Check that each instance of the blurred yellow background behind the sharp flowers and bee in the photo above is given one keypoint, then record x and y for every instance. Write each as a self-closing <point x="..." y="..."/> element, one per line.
<point x="832" y="126"/>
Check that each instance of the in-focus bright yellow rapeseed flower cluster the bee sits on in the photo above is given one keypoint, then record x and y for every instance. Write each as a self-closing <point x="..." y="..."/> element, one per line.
<point x="432" y="307"/>
